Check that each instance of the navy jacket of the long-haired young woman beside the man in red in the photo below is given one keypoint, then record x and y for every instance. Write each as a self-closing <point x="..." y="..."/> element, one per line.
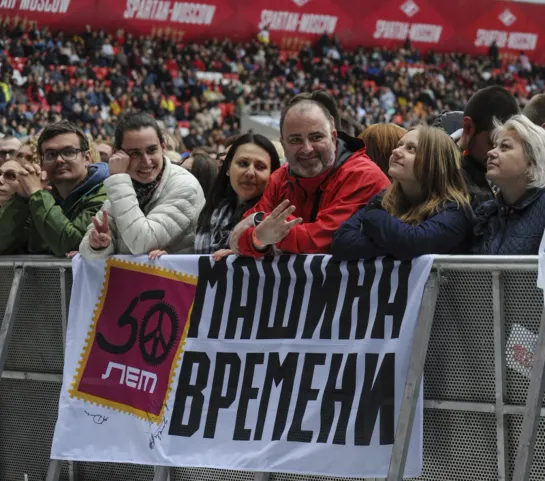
<point x="373" y="232"/>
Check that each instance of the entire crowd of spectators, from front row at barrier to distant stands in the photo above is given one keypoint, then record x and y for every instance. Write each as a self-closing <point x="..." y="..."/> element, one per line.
<point x="110" y="150"/>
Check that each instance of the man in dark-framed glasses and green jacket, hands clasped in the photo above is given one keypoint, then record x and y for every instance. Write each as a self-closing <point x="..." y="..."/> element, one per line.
<point x="57" y="198"/>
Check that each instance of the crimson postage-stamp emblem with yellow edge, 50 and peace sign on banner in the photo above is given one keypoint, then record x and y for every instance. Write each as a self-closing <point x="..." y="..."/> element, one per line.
<point x="136" y="339"/>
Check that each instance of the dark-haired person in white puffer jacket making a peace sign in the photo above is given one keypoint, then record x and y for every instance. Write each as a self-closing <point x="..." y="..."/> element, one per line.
<point x="152" y="204"/>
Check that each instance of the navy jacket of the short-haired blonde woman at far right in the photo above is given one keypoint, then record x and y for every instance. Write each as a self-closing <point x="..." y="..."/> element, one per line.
<point x="510" y="230"/>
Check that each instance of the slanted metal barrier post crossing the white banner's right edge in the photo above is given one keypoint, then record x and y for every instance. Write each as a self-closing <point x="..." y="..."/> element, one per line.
<point x="414" y="378"/>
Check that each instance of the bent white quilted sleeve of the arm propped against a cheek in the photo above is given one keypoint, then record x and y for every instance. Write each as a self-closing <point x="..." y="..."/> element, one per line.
<point x="174" y="216"/>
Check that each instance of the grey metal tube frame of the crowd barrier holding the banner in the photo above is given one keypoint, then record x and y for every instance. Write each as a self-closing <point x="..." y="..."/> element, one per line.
<point x="496" y="265"/>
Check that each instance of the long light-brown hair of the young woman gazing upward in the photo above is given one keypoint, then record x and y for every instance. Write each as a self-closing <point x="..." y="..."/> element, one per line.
<point x="437" y="166"/>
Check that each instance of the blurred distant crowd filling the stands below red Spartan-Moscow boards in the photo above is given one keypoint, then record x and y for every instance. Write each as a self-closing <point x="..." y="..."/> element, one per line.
<point x="94" y="77"/>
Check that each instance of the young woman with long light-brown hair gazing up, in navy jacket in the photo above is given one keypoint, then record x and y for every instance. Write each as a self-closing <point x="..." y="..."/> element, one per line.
<point x="426" y="210"/>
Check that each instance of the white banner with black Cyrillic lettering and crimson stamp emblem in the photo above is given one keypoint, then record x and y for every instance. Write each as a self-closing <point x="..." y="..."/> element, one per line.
<point x="293" y="364"/>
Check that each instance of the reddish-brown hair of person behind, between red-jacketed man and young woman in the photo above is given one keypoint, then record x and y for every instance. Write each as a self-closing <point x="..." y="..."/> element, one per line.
<point x="380" y="140"/>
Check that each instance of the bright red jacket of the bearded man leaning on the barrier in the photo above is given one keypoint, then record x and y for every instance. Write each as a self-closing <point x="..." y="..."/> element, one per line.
<point x="324" y="202"/>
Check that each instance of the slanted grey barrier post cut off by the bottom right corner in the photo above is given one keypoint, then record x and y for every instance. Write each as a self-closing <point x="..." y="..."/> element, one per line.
<point x="523" y="464"/>
